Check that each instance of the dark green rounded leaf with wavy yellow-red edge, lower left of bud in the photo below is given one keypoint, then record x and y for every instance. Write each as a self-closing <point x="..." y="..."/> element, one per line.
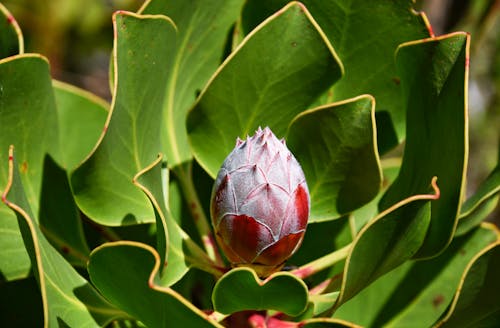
<point x="126" y="273"/>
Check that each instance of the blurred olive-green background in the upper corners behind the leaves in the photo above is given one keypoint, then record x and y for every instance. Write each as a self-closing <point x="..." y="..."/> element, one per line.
<point x="77" y="38"/>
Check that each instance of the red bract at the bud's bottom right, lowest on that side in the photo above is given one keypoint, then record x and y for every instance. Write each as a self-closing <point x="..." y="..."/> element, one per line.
<point x="280" y="251"/>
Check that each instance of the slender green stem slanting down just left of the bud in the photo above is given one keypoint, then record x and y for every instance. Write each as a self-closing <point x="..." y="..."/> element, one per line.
<point x="185" y="177"/>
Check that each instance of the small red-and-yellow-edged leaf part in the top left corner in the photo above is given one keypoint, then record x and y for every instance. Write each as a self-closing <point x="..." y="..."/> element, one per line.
<point x="11" y="37"/>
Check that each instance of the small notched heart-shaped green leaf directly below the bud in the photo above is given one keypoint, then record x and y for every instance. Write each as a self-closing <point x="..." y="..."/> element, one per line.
<point x="240" y="289"/>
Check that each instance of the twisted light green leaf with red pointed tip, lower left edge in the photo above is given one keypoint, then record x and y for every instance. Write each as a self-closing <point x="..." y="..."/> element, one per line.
<point x="67" y="298"/>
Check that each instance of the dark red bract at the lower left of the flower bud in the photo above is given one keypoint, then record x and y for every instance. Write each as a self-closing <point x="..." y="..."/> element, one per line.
<point x="245" y="236"/>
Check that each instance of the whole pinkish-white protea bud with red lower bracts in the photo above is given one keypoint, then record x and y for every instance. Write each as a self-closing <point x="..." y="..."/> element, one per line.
<point x="260" y="203"/>
